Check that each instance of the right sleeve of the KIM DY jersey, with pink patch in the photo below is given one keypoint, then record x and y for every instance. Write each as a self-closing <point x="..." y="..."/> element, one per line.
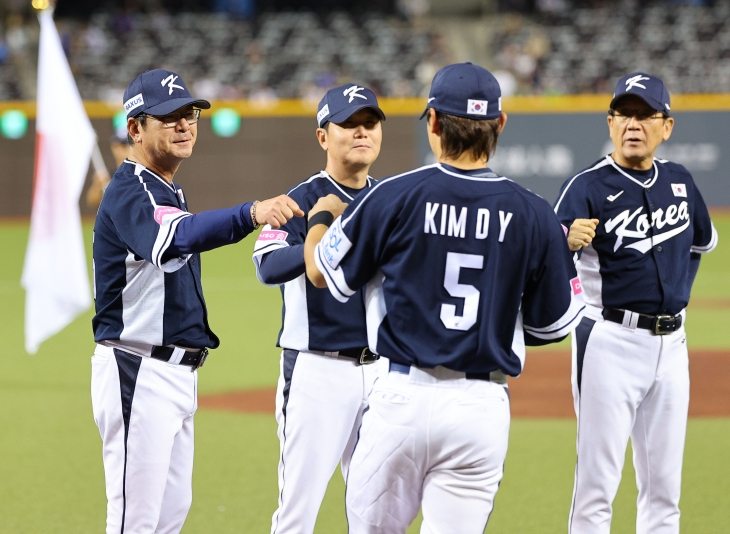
<point x="552" y="303"/>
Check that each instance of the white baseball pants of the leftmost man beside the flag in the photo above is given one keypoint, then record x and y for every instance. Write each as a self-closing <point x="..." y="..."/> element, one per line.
<point x="144" y="410"/>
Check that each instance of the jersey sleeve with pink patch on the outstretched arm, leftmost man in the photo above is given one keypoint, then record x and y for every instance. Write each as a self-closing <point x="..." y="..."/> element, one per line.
<point x="146" y="223"/>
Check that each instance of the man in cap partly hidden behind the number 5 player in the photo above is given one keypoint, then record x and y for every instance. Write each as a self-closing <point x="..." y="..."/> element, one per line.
<point x="326" y="369"/>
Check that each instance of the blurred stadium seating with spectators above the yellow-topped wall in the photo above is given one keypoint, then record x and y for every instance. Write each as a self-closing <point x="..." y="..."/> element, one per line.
<point x="233" y="49"/>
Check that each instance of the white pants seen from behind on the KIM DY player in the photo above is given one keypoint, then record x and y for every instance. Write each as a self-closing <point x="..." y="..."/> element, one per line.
<point x="429" y="439"/>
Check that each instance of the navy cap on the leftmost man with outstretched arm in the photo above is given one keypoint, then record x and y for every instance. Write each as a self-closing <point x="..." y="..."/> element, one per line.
<point x="158" y="92"/>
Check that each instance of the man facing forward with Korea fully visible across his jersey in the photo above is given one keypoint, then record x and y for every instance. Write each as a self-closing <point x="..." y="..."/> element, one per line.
<point x="636" y="223"/>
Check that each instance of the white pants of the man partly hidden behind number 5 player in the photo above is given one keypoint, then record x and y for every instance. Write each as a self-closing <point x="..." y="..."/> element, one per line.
<point x="319" y="404"/>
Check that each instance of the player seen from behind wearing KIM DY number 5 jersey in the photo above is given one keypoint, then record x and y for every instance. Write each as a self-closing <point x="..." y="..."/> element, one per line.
<point x="462" y="268"/>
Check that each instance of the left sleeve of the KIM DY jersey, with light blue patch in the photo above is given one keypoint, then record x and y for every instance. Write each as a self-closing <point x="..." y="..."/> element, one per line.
<point x="349" y="252"/>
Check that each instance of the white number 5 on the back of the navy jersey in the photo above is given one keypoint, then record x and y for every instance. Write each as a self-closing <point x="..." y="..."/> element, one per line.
<point x="454" y="263"/>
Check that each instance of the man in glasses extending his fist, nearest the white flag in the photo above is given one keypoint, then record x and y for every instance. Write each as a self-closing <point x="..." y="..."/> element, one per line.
<point x="151" y="323"/>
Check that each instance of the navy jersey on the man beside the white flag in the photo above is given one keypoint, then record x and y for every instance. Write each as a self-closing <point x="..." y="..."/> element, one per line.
<point x="145" y="296"/>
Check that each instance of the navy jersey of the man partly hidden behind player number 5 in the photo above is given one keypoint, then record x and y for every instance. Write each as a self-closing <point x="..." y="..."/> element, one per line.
<point x="312" y="319"/>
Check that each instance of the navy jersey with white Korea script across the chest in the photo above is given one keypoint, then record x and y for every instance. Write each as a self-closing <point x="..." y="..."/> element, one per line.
<point x="649" y="222"/>
